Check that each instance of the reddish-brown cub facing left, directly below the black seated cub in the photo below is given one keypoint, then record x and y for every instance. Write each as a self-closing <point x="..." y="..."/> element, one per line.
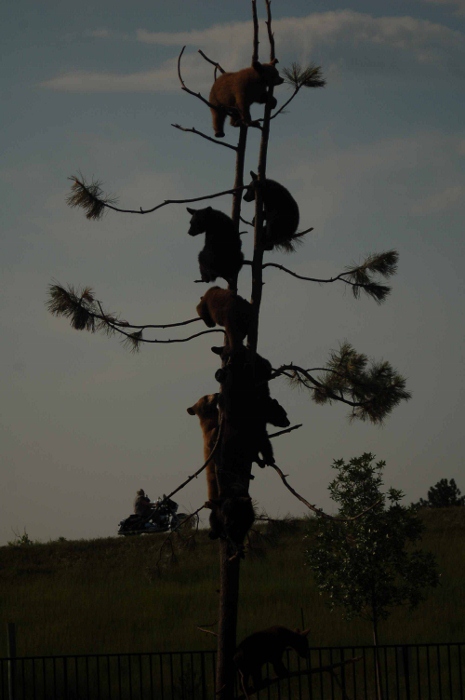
<point x="223" y="307"/>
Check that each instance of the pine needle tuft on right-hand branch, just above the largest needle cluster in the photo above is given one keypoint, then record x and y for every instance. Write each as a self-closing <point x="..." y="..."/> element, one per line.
<point x="361" y="277"/>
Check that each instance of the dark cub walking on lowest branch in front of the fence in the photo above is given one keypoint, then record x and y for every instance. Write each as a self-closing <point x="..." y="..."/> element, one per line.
<point x="267" y="646"/>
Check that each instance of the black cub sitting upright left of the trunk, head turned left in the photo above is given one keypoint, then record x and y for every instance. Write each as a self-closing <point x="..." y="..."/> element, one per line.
<point x="221" y="255"/>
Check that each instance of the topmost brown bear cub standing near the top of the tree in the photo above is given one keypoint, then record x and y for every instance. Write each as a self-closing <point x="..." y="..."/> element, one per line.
<point x="237" y="91"/>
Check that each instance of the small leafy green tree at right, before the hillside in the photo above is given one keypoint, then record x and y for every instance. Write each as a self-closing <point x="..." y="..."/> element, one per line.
<point x="366" y="565"/>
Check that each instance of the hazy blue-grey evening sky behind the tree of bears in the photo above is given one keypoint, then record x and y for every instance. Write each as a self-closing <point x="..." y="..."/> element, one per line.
<point x="376" y="162"/>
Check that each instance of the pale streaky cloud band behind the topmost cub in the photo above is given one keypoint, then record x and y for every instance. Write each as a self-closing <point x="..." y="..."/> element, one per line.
<point x="343" y="40"/>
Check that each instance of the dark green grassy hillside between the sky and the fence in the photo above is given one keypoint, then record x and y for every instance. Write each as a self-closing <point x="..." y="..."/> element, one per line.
<point x="109" y="595"/>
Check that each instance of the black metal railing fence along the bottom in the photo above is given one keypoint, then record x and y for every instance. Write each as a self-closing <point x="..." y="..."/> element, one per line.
<point x="408" y="672"/>
